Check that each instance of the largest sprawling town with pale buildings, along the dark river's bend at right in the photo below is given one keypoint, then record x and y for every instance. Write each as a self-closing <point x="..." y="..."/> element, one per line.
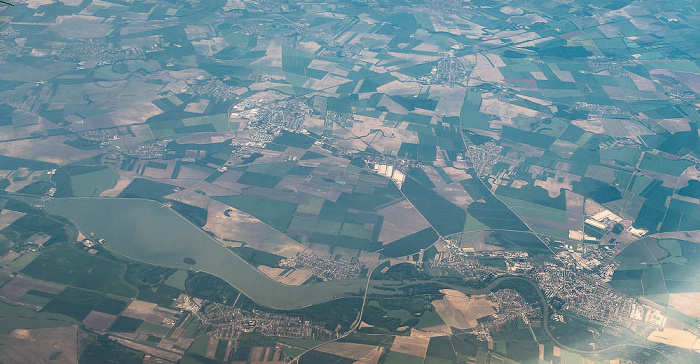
<point x="573" y="285"/>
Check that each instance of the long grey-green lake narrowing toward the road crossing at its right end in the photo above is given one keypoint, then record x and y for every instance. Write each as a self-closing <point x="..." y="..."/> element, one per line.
<point x="147" y="231"/>
